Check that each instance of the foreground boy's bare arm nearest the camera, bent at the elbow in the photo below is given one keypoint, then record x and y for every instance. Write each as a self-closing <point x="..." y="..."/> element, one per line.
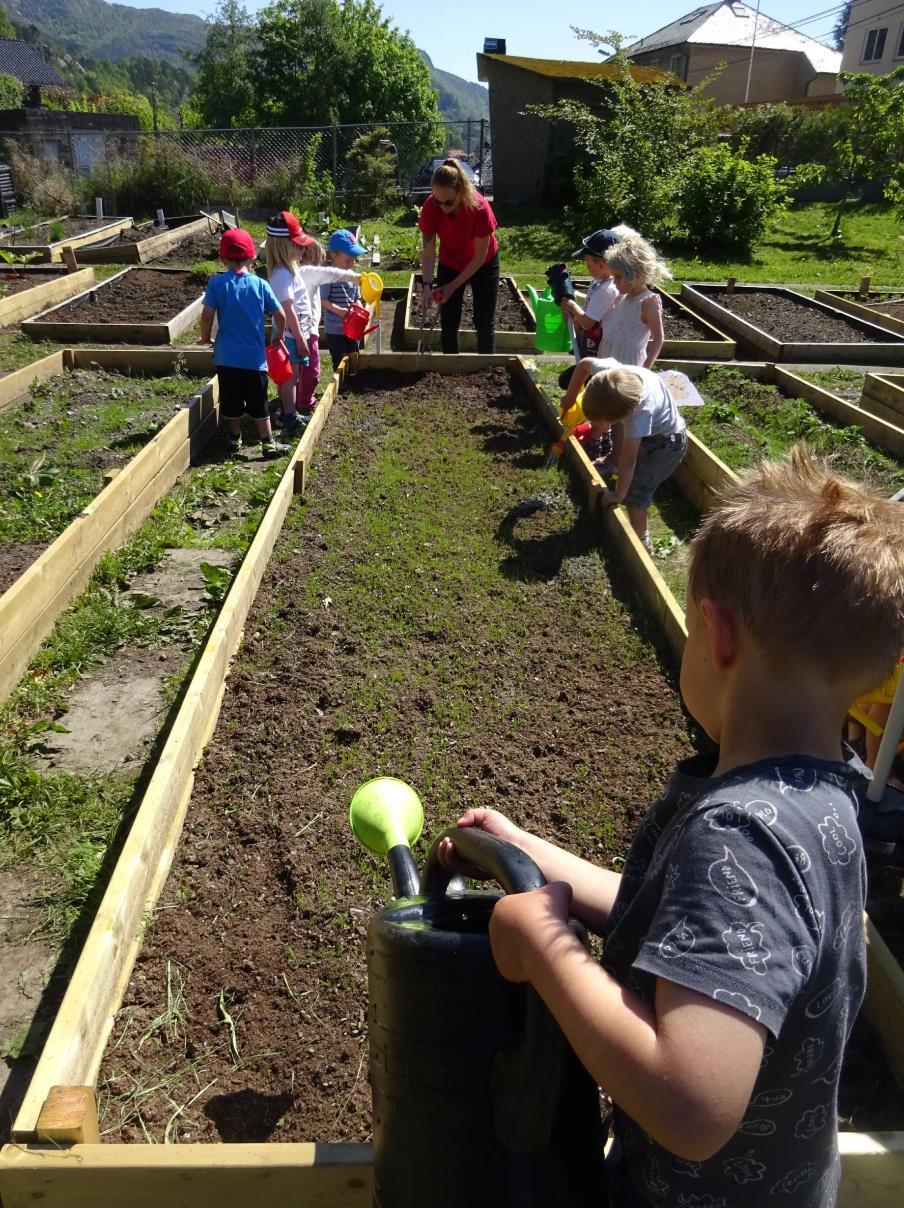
<point x="683" y="1068"/>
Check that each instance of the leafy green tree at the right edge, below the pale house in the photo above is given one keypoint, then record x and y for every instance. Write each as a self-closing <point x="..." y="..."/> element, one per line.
<point x="871" y="147"/>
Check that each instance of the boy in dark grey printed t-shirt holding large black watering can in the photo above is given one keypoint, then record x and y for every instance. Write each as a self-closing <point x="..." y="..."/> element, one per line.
<point x="734" y="954"/>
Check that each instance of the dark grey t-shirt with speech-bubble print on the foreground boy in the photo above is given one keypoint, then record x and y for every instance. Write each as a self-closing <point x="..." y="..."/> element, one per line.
<point x="750" y="888"/>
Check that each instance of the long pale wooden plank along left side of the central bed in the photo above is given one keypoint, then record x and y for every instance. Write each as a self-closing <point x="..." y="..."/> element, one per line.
<point x="74" y="1049"/>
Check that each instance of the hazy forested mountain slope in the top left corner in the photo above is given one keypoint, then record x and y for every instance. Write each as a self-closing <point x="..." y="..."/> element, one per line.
<point x="115" y="32"/>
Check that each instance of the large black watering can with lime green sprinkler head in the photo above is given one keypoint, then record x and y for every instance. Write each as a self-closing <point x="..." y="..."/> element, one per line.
<point x="478" y="1096"/>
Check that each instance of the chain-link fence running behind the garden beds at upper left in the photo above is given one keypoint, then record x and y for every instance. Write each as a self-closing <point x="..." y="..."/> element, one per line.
<point x="253" y="154"/>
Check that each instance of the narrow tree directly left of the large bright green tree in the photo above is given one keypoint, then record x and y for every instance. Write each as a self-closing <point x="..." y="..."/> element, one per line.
<point x="225" y="94"/>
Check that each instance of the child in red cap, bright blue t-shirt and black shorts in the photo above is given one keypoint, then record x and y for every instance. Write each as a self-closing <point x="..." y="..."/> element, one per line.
<point x="240" y="300"/>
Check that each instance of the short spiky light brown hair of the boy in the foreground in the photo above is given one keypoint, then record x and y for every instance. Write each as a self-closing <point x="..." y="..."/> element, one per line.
<point x="813" y="564"/>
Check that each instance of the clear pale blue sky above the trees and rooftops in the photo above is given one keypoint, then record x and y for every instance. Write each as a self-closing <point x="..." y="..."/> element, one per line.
<point x="453" y="32"/>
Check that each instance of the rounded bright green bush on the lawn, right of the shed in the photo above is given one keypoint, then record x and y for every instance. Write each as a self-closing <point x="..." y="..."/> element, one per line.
<point x="726" y="201"/>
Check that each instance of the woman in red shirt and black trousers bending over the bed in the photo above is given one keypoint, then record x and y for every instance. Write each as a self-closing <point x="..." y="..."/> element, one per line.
<point x="465" y="224"/>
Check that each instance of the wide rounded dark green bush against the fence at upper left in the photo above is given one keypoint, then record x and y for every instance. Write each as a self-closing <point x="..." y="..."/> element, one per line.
<point x="163" y="177"/>
